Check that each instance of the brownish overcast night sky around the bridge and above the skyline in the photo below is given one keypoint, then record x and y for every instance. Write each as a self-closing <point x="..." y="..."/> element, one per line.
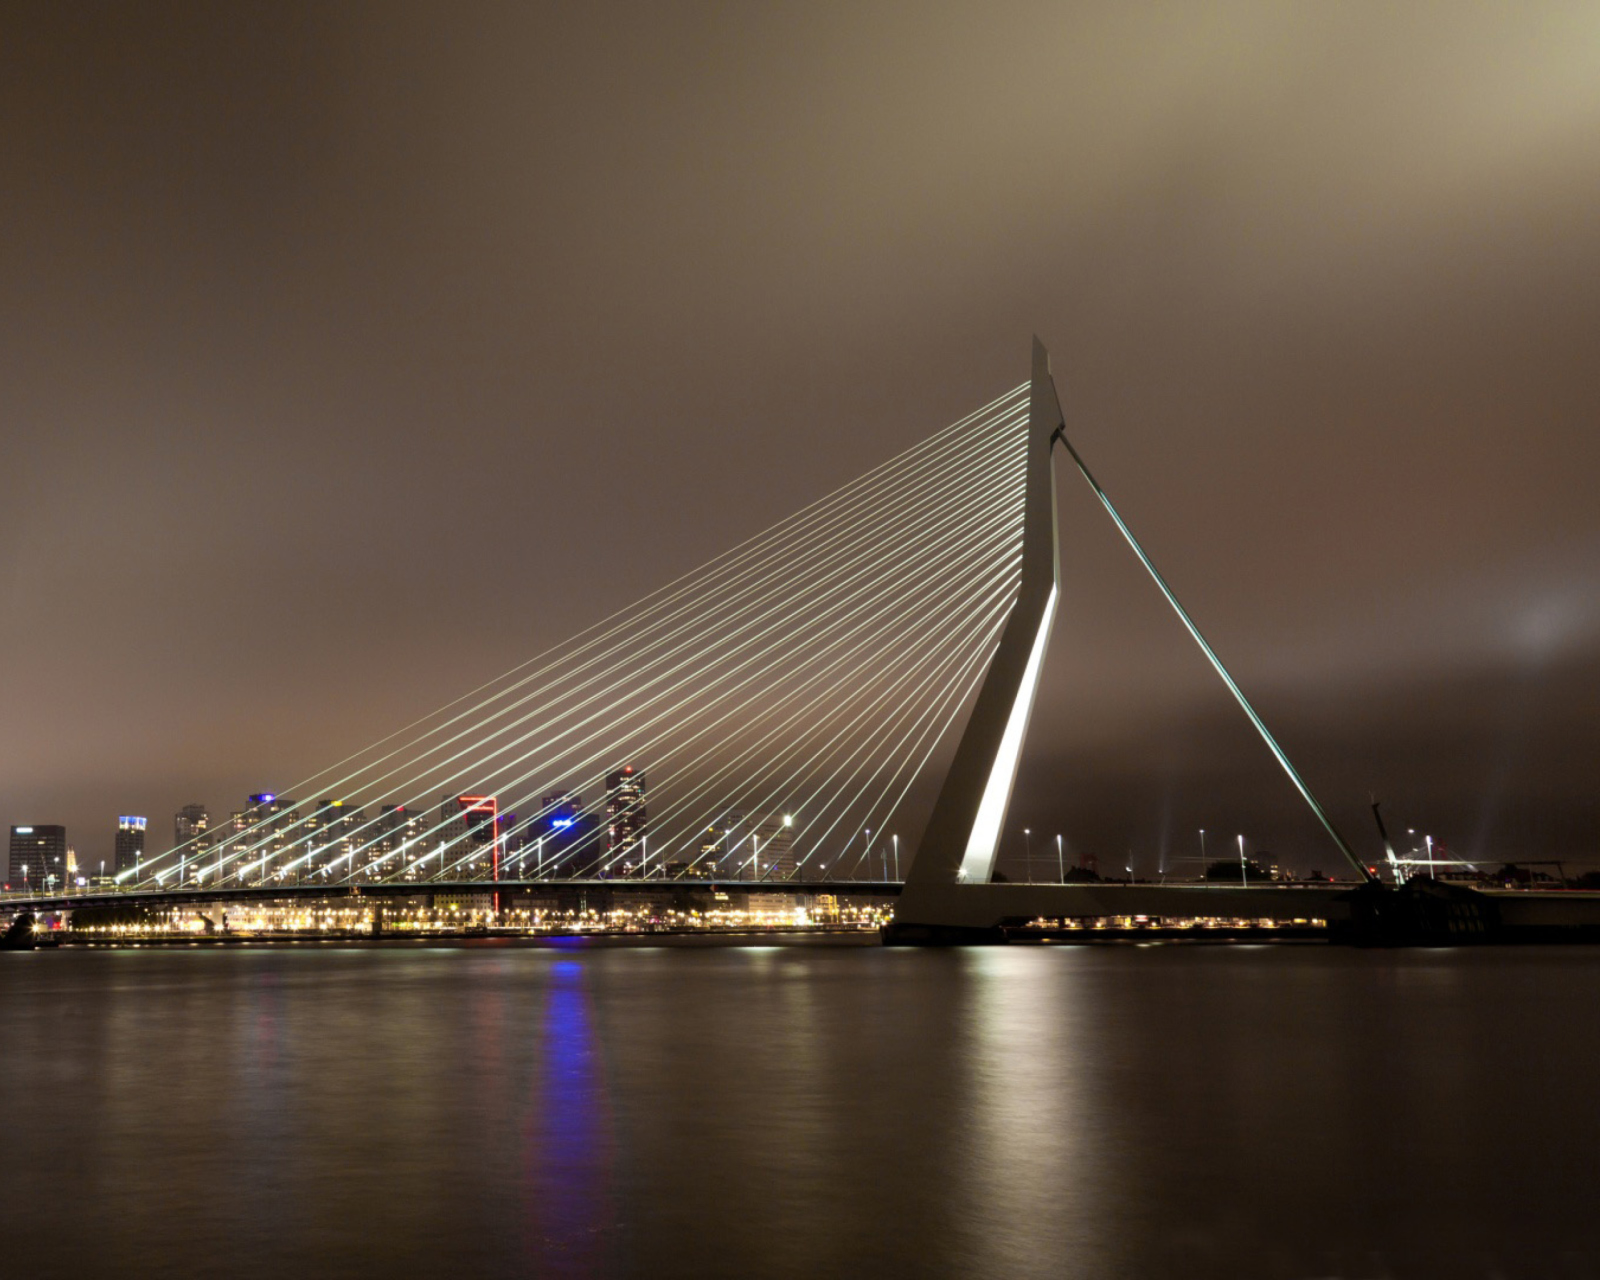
<point x="353" y="354"/>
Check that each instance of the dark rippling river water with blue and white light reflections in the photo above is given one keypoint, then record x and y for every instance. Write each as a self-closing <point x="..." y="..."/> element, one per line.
<point x="801" y="1111"/>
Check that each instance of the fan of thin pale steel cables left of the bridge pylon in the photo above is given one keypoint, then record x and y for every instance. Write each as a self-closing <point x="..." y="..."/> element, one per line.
<point x="782" y="702"/>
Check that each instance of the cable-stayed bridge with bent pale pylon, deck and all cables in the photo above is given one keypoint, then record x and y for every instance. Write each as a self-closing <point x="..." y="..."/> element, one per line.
<point x="796" y="702"/>
